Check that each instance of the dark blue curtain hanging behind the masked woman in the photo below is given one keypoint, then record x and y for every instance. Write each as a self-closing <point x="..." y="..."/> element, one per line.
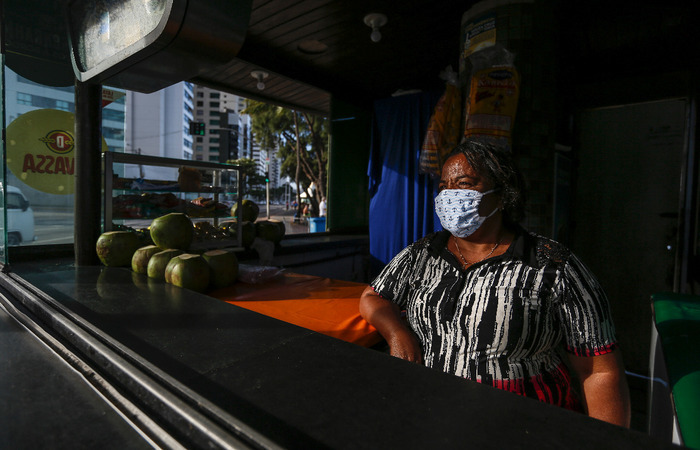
<point x="401" y="206"/>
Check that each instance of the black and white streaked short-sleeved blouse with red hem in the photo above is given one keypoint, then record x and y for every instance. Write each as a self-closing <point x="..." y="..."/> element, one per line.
<point x="502" y="321"/>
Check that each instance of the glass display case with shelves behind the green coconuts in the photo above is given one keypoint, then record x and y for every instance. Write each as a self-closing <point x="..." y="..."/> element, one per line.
<point x="140" y="188"/>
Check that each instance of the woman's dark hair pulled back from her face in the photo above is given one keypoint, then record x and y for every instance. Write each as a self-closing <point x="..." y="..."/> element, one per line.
<point x="498" y="166"/>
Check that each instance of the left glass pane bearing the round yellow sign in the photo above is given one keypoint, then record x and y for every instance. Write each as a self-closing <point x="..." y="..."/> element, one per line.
<point x="43" y="182"/>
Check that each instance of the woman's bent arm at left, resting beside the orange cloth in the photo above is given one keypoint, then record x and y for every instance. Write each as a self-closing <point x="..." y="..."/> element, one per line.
<point x="385" y="316"/>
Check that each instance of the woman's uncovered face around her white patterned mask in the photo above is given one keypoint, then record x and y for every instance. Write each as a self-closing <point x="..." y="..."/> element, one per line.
<point x="457" y="173"/>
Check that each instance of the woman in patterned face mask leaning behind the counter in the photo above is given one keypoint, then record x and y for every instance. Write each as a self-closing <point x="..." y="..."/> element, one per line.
<point x="488" y="301"/>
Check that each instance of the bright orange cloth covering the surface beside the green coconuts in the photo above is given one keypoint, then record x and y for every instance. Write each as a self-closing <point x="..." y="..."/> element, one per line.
<point x="324" y="305"/>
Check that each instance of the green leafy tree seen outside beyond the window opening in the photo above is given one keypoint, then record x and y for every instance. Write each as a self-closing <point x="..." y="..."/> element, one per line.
<point x="301" y="140"/>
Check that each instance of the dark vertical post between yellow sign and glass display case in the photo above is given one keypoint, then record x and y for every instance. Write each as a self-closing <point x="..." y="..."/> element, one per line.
<point x="88" y="180"/>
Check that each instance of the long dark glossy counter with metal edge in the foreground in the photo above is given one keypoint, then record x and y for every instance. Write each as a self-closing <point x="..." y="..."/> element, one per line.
<point x="216" y="375"/>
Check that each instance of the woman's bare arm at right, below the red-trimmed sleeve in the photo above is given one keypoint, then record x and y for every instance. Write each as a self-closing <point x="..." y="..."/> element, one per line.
<point x="604" y="385"/>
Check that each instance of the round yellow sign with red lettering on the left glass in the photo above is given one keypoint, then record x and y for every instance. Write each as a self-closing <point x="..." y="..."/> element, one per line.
<point x="40" y="152"/>
